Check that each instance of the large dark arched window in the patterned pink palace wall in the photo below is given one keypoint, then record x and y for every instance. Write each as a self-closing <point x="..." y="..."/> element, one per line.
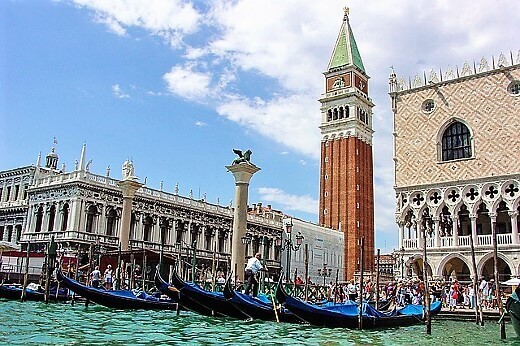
<point x="456" y="142"/>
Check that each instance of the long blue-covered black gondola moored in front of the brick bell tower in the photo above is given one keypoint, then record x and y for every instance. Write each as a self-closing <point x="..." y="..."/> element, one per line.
<point x="346" y="315"/>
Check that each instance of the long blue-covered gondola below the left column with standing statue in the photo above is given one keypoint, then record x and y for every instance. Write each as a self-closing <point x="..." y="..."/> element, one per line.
<point x="116" y="299"/>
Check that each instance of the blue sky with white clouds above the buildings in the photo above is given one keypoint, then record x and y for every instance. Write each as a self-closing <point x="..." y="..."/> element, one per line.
<point x="175" y="85"/>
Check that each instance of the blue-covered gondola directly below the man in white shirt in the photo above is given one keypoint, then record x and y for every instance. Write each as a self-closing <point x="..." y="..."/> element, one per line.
<point x="257" y="308"/>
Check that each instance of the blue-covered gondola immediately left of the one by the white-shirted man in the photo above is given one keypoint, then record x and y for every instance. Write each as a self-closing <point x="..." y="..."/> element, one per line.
<point x="214" y="301"/>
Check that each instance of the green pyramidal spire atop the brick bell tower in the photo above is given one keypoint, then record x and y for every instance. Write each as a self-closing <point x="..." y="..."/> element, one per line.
<point x="345" y="51"/>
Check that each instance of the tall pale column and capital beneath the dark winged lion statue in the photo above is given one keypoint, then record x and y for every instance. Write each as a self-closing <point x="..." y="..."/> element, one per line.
<point x="242" y="173"/>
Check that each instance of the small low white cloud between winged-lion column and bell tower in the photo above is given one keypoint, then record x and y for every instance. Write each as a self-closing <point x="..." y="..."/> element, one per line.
<point x="287" y="201"/>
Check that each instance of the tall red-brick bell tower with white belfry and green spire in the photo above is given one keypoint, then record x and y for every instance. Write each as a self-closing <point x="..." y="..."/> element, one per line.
<point x="346" y="173"/>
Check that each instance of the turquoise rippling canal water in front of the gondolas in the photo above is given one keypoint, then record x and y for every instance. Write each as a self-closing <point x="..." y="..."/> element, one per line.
<point x="37" y="323"/>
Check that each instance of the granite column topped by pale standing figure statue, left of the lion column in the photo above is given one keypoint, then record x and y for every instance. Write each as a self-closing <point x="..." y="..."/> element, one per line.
<point x="129" y="185"/>
